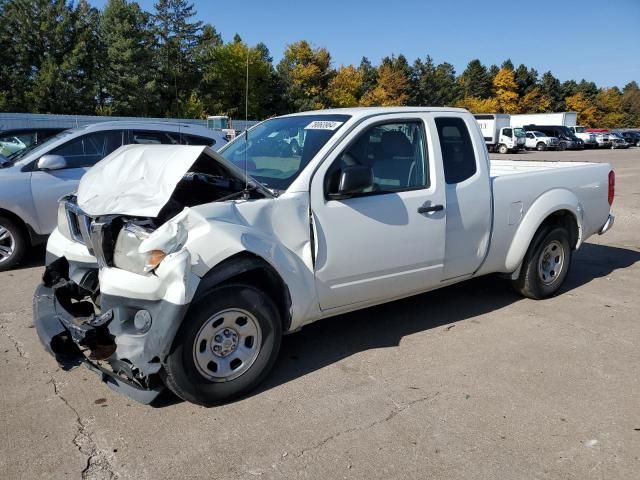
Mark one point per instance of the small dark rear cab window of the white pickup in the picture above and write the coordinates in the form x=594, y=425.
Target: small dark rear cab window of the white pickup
x=458, y=158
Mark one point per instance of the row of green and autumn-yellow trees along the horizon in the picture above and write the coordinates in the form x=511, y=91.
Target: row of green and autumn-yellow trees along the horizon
x=61, y=57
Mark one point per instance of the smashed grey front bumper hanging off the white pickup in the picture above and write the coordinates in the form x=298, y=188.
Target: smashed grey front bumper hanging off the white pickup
x=124, y=340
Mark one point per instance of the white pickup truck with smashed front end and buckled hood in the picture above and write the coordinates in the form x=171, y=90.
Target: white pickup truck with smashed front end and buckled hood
x=181, y=267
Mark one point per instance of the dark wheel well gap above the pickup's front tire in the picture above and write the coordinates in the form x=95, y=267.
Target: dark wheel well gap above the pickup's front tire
x=252, y=270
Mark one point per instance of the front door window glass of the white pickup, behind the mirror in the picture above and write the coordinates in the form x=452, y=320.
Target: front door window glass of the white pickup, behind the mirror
x=396, y=152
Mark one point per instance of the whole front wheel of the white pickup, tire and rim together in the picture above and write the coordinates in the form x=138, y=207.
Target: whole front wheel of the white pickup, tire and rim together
x=225, y=347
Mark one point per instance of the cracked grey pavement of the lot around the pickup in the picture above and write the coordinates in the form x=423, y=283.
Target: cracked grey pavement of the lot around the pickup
x=467, y=382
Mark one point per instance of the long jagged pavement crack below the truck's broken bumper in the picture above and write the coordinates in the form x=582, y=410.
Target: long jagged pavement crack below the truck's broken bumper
x=98, y=464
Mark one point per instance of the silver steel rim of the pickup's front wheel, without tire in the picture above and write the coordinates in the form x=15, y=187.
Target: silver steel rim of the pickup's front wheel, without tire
x=227, y=344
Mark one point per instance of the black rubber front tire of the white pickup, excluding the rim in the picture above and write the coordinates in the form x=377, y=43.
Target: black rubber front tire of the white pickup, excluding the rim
x=181, y=374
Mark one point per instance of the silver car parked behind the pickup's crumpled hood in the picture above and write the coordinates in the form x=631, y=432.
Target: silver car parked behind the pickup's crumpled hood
x=33, y=180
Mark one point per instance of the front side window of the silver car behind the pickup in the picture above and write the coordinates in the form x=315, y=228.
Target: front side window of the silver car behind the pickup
x=89, y=149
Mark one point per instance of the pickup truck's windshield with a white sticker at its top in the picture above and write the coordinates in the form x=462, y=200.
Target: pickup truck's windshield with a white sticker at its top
x=277, y=150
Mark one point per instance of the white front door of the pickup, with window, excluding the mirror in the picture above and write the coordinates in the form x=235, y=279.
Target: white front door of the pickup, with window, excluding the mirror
x=388, y=241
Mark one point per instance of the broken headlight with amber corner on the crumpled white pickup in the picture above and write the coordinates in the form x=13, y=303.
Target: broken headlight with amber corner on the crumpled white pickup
x=127, y=254
